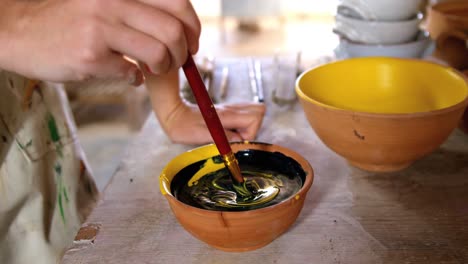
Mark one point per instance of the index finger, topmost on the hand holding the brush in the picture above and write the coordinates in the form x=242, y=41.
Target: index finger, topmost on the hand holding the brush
x=183, y=11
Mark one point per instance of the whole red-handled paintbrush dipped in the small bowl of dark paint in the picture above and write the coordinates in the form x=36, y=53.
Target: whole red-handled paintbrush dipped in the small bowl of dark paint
x=212, y=121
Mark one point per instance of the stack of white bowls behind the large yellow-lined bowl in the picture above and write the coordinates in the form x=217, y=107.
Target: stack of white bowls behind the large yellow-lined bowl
x=380, y=28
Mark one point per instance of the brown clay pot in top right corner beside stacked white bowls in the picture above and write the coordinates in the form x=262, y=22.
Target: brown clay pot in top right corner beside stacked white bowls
x=446, y=17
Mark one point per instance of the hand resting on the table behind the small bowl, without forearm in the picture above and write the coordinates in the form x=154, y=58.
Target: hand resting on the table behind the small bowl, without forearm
x=185, y=123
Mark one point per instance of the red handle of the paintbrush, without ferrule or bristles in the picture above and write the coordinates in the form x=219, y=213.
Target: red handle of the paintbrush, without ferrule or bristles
x=206, y=106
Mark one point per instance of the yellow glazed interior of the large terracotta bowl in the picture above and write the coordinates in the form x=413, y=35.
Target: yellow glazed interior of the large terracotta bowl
x=383, y=85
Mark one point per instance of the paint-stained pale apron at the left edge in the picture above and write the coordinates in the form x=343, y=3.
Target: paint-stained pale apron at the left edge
x=46, y=190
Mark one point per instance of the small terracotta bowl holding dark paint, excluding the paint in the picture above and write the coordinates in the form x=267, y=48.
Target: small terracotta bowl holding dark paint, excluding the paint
x=240, y=230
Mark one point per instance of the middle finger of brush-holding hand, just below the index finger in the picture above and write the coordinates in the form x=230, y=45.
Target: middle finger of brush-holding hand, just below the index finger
x=159, y=25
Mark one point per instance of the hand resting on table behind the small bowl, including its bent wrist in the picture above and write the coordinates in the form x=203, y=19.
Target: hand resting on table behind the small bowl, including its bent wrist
x=184, y=123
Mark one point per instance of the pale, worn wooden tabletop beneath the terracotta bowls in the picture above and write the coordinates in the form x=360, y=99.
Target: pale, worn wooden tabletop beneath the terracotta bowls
x=418, y=215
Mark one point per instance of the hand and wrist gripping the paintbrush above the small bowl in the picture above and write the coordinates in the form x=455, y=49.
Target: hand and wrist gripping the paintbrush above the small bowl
x=73, y=40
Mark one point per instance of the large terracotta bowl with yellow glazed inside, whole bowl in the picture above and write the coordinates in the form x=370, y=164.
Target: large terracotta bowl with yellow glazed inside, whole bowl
x=381, y=113
